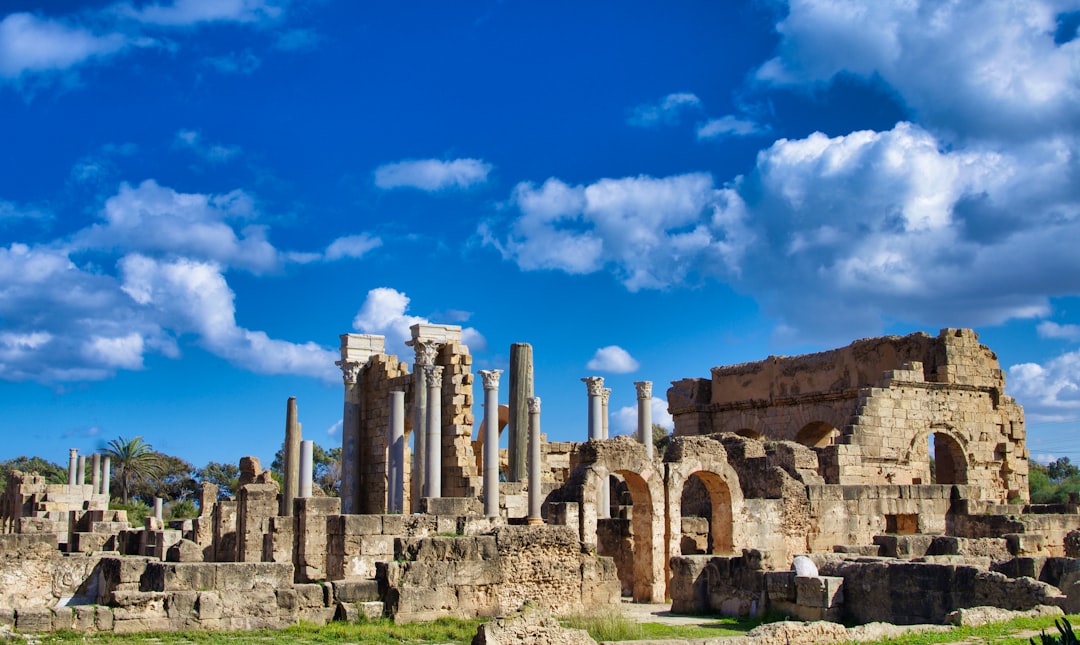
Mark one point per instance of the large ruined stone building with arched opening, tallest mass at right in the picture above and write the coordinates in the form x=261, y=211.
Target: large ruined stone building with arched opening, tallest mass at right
x=871, y=410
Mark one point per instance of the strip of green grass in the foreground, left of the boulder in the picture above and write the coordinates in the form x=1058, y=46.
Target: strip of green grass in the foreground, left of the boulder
x=383, y=631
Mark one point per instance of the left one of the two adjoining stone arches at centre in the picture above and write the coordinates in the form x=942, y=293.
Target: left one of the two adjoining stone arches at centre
x=627, y=459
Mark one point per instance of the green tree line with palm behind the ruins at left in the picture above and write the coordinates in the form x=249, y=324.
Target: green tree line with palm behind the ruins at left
x=140, y=475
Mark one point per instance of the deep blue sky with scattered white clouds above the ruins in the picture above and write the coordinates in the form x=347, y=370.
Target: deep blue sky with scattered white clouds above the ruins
x=197, y=197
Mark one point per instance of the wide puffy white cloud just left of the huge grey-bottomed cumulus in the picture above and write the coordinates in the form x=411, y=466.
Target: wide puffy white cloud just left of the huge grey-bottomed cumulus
x=652, y=232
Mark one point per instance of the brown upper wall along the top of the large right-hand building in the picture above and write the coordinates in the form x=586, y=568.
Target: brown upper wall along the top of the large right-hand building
x=955, y=357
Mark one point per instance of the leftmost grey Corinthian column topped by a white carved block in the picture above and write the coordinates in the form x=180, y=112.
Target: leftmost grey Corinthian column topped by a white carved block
x=356, y=352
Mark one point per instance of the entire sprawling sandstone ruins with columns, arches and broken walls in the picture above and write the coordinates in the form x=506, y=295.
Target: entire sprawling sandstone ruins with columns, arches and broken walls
x=882, y=481
